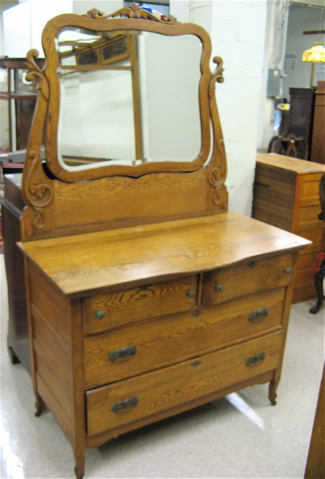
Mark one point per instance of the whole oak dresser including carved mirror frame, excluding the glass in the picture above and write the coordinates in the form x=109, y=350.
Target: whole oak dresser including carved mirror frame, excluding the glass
x=137, y=306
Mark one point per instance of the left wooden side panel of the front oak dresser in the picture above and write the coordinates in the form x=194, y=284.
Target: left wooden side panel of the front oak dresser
x=51, y=345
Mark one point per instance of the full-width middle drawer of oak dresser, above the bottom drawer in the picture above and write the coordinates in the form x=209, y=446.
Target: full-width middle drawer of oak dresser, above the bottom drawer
x=126, y=352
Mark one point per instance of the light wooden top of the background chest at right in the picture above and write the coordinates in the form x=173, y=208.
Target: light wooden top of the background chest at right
x=301, y=167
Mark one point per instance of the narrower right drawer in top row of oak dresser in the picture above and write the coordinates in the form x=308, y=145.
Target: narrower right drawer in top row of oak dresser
x=251, y=277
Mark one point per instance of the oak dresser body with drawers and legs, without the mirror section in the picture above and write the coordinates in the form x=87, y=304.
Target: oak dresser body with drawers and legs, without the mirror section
x=125, y=336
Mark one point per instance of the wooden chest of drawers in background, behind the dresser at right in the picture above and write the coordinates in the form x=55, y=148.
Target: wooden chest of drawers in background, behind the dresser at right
x=286, y=194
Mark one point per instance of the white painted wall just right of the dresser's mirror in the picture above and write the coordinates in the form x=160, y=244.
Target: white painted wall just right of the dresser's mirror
x=237, y=30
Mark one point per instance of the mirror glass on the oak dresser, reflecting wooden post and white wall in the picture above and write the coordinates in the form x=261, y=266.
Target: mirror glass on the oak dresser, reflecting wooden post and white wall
x=128, y=98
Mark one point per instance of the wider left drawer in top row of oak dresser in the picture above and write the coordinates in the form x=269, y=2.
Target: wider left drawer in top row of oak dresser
x=107, y=311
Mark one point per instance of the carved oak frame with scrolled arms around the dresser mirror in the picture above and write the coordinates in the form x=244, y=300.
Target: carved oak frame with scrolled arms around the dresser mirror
x=127, y=19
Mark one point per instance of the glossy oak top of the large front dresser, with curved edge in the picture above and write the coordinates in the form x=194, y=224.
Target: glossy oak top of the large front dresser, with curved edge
x=89, y=263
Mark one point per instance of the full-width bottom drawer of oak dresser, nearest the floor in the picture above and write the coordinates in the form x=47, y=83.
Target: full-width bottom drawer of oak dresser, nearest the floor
x=115, y=405
